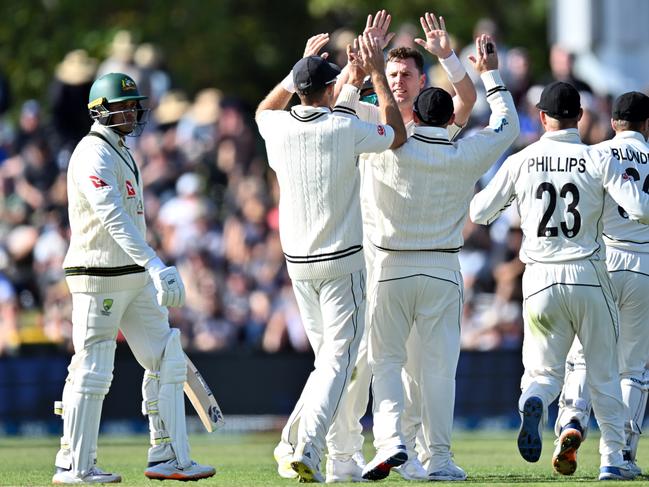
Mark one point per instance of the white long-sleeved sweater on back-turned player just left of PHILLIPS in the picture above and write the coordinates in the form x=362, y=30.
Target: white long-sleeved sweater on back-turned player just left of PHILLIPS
x=422, y=190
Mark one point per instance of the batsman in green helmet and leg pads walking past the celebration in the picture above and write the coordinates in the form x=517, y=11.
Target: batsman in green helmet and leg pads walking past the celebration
x=118, y=283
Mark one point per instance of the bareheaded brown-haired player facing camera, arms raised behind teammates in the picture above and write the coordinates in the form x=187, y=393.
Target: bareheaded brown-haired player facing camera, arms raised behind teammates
x=405, y=72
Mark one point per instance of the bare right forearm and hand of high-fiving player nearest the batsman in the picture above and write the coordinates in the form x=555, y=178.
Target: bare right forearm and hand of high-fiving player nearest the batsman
x=371, y=58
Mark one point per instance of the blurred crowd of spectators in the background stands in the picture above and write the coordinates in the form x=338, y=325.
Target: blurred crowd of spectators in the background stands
x=211, y=203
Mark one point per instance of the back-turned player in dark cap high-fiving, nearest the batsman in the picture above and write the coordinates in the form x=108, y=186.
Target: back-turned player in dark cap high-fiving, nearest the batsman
x=314, y=152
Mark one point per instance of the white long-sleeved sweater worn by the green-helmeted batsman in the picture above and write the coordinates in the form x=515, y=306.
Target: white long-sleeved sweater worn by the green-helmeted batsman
x=108, y=249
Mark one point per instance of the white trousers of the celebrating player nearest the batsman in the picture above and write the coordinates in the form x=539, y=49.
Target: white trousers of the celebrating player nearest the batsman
x=332, y=312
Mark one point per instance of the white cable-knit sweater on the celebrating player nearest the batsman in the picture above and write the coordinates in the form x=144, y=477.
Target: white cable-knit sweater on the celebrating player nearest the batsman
x=315, y=155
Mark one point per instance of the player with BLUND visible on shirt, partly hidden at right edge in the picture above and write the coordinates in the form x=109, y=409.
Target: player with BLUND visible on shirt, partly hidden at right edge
x=627, y=260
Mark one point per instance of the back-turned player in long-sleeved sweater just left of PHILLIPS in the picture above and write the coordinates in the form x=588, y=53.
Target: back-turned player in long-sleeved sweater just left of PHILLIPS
x=417, y=282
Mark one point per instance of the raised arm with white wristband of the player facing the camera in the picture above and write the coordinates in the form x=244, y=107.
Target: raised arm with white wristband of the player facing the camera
x=437, y=42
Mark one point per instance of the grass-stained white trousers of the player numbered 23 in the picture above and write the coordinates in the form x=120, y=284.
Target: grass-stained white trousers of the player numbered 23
x=561, y=301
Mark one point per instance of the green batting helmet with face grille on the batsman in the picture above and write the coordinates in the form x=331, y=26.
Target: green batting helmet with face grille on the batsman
x=113, y=88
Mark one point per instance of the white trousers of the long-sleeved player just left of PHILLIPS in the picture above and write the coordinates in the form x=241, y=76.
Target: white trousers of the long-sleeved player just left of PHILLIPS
x=429, y=299
